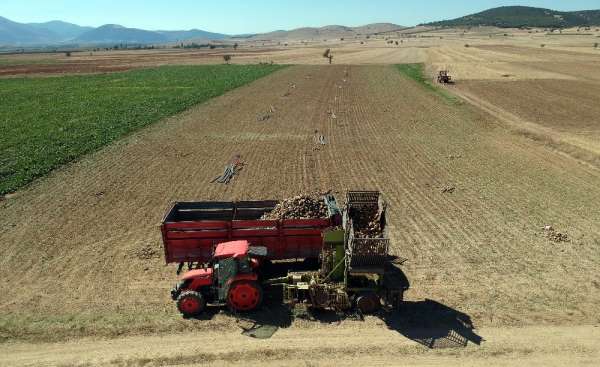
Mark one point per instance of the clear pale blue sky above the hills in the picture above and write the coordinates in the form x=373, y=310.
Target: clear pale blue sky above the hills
x=253, y=16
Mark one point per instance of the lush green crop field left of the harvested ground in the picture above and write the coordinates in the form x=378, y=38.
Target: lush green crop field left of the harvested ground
x=47, y=122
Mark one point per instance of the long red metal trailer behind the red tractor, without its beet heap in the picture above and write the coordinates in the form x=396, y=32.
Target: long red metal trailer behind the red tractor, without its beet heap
x=191, y=231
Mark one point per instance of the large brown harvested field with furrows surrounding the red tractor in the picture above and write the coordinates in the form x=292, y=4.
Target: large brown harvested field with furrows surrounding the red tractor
x=81, y=251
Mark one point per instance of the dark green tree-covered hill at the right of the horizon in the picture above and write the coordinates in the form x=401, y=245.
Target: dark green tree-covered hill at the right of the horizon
x=524, y=16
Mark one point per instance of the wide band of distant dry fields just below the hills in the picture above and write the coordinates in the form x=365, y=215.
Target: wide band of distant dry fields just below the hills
x=492, y=54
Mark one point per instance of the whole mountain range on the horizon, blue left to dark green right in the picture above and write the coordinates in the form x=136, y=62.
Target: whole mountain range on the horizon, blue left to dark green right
x=58, y=32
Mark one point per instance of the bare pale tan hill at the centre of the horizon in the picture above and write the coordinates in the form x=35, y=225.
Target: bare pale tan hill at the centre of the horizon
x=328, y=32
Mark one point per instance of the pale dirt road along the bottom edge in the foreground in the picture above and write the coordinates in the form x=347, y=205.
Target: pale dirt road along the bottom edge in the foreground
x=320, y=346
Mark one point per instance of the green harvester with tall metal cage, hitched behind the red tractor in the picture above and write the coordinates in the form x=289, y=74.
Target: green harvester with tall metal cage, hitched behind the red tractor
x=356, y=269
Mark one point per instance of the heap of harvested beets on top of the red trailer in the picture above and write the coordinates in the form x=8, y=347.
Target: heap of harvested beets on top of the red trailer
x=298, y=207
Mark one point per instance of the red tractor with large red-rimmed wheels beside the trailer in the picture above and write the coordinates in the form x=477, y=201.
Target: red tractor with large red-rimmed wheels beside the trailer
x=231, y=280
